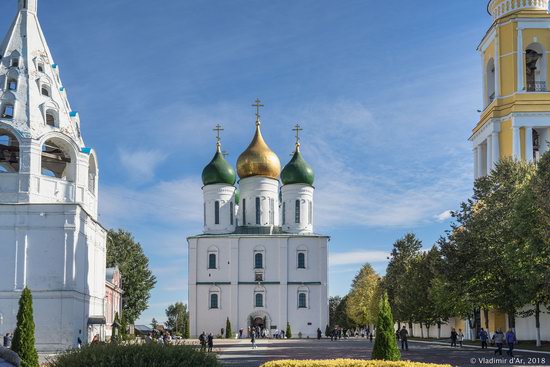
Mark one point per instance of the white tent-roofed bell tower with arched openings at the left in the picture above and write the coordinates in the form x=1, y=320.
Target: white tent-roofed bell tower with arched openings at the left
x=50, y=237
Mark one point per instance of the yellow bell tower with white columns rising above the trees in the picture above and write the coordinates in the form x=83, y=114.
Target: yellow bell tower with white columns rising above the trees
x=515, y=120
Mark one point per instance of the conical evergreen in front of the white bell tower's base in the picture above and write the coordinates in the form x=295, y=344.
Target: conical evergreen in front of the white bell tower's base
x=23, y=337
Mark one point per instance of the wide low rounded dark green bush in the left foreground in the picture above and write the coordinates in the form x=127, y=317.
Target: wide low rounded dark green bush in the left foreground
x=112, y=355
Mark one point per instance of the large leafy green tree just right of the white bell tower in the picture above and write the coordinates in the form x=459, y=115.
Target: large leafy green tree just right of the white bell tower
x=137, y=279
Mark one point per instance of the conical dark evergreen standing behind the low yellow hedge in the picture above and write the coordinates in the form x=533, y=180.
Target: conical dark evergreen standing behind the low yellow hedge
x=385, y=345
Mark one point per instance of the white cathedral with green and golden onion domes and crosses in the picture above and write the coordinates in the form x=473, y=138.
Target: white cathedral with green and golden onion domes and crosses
x=258, y=263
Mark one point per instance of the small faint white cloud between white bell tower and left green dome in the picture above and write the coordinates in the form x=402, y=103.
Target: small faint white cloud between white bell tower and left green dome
x=141, y=164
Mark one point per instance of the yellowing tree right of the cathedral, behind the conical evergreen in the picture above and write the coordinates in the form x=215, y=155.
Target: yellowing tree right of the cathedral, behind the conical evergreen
x=364, y=297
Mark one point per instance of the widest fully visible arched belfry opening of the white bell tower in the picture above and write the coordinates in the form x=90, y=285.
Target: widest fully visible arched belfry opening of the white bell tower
x=56, y=160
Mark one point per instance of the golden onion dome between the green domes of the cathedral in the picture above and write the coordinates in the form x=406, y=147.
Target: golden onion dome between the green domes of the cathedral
x=258, y=159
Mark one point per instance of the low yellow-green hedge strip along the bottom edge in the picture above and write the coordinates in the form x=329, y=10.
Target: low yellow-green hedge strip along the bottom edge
x=348, y=363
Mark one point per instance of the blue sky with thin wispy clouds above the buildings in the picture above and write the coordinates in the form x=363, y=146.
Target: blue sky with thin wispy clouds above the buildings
x=386, y=92
